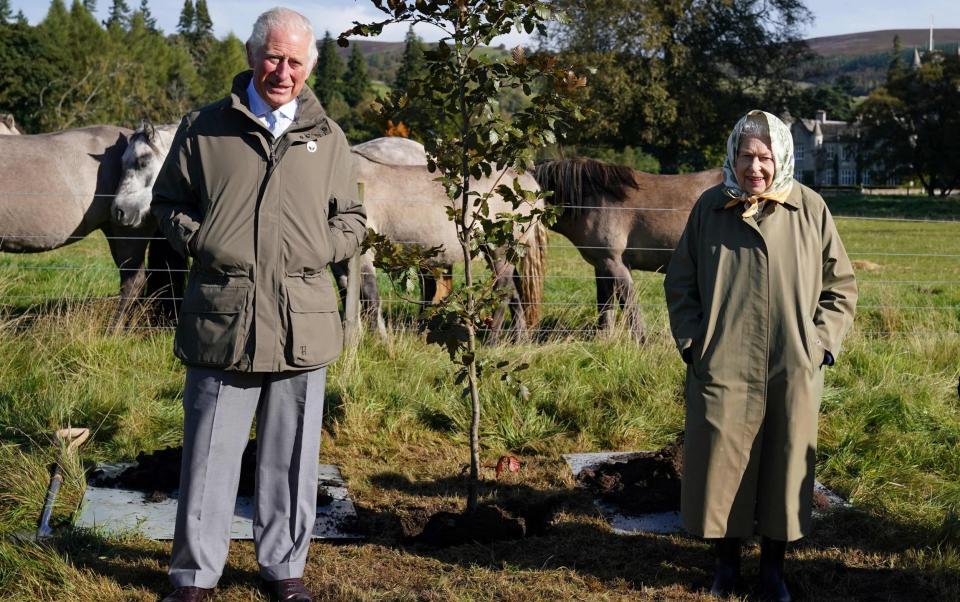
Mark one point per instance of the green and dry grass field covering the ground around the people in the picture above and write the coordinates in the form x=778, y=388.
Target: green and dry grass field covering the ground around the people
x=395, y=424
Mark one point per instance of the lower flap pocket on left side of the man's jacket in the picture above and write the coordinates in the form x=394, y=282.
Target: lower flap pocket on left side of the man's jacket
x=211, y=324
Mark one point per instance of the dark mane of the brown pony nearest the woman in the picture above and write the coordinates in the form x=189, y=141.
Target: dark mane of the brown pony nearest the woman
x=573, y=181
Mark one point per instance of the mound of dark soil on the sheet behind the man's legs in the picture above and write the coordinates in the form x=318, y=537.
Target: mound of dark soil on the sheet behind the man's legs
x=157, y=475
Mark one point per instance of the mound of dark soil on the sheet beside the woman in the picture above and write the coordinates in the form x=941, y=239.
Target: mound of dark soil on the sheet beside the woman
x=647, y=482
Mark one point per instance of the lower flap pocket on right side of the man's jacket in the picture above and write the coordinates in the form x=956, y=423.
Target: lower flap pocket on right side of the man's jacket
x=314, y=330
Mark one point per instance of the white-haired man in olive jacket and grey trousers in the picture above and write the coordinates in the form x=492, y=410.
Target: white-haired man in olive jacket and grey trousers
x=259, y=190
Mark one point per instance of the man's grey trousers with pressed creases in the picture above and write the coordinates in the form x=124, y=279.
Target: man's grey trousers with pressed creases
x=219, y=408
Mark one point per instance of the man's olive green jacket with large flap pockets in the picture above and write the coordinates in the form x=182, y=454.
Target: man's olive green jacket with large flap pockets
x=262, y=220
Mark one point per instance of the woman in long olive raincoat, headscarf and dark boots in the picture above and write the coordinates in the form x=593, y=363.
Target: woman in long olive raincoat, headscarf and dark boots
x=760, y=294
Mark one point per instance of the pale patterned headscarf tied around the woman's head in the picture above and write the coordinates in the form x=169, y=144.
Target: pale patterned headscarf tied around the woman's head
x=781, y=143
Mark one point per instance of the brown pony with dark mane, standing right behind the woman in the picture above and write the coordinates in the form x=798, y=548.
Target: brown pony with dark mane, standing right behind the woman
x=621, y=220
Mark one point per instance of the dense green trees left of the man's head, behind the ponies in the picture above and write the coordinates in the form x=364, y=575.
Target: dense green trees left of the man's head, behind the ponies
x=71, y=70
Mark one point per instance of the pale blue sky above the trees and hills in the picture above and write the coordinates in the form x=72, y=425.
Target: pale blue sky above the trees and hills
x=831, y=17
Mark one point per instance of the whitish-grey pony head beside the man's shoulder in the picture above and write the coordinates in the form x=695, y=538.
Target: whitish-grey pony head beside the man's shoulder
x=146, y=150
